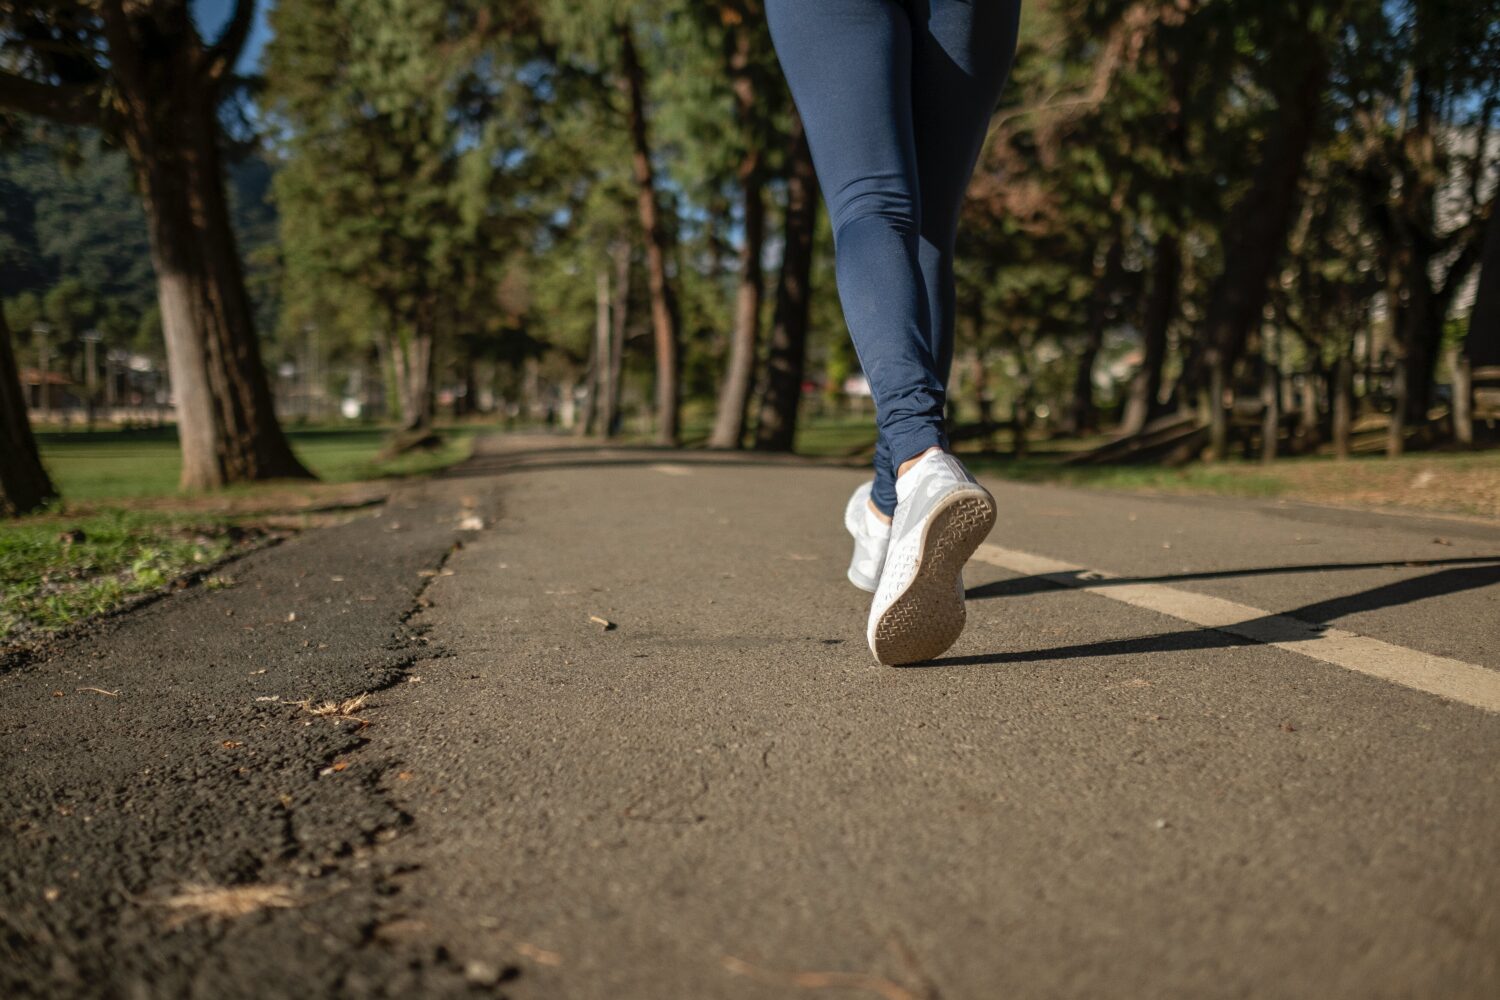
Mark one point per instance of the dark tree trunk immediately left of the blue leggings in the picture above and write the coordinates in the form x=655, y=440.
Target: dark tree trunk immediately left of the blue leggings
x=776, y=430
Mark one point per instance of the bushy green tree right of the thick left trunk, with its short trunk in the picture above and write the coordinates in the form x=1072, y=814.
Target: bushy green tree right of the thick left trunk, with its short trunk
x=394, y=190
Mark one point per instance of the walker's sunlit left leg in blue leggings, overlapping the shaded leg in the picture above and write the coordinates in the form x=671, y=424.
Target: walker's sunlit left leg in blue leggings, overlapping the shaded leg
x=850, y=67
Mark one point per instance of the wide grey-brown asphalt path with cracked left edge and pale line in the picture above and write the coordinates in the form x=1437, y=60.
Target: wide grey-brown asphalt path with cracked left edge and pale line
x=1141, y=773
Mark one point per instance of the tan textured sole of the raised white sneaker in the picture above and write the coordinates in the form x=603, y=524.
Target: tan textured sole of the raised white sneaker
x=929, y=615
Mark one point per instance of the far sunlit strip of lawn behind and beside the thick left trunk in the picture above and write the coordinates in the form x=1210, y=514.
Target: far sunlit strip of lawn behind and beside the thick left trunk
x=142, y=464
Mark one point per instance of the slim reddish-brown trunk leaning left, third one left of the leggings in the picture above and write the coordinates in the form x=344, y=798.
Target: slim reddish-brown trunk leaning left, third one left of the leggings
x=664, y=305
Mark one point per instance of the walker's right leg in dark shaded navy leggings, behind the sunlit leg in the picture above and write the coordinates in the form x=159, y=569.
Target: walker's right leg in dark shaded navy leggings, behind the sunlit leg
x=962, y=53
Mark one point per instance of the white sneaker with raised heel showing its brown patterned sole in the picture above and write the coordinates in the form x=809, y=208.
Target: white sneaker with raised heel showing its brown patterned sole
x=941, y=518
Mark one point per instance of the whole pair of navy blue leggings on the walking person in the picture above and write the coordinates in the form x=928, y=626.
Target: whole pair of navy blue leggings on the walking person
x=896, y=98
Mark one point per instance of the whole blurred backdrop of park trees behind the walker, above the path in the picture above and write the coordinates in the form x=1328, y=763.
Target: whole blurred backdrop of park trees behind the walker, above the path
x=1201, y=229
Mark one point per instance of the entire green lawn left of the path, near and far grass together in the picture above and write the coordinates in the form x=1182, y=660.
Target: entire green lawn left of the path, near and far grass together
x=125, y=530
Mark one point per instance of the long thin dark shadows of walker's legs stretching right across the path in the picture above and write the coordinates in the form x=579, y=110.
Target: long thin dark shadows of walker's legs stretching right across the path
x=1298, y=624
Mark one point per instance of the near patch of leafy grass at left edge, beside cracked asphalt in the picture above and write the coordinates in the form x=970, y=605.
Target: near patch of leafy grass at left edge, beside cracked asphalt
x=55, y=573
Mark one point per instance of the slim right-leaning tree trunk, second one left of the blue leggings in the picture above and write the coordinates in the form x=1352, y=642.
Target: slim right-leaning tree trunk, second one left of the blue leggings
x=734, y=395
